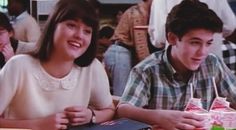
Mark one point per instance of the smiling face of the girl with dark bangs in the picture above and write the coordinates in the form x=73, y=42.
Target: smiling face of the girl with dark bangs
x=71, y=39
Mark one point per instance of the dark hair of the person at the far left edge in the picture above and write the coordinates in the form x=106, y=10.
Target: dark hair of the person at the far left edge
x=5, y=22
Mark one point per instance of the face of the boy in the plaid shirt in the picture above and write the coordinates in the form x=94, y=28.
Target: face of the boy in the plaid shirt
x=191, y=50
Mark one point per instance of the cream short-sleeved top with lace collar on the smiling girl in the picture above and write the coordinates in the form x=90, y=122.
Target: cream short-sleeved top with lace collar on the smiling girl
x=27, y=91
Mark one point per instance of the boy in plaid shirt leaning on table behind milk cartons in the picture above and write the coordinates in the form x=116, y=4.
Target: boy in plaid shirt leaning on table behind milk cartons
x=158, y=88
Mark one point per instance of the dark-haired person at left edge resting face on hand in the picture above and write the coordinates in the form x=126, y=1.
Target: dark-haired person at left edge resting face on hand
x=8, y=45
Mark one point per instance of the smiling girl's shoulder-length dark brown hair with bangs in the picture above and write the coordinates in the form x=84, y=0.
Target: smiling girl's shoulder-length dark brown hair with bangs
x=69, y=10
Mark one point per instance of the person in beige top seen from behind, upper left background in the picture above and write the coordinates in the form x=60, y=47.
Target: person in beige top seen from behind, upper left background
x=25, y=26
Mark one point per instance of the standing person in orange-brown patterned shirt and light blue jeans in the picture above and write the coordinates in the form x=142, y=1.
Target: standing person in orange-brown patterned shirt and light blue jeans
x=130, y=45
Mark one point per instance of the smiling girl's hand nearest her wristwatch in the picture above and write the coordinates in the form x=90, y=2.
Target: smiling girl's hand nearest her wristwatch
x=78, y=115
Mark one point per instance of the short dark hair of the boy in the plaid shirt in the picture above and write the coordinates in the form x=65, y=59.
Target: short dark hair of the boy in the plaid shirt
x=192, y=14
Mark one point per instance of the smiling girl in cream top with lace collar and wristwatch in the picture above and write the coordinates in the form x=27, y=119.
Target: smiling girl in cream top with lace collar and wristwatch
x=61, y=83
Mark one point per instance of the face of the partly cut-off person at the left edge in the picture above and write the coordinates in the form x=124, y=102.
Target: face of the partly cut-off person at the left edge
x=4, y=37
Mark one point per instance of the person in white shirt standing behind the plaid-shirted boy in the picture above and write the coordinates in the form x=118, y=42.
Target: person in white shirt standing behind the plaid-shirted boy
x=160, y=9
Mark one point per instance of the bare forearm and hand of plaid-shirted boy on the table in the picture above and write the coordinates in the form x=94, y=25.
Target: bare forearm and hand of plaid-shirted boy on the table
x=167, y=119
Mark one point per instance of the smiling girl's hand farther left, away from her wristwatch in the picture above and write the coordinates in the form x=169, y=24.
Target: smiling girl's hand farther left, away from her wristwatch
x=57, y=121
